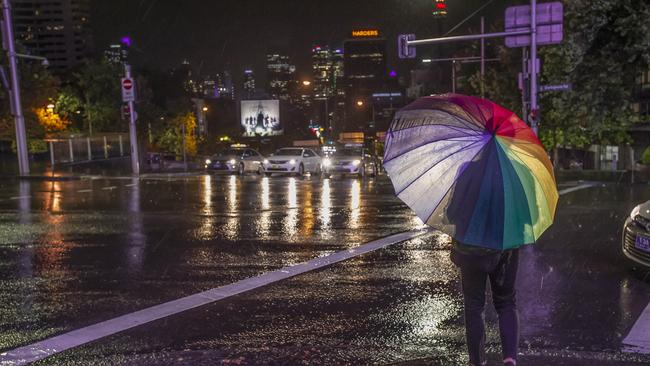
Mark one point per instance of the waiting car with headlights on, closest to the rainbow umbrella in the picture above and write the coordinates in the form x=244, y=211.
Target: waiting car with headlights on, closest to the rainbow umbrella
x=351, y=159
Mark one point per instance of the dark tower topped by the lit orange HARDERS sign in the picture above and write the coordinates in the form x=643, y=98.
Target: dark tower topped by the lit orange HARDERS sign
x=365, y=74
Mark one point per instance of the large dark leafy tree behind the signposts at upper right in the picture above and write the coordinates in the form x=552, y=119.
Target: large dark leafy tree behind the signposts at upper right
x=605, y=48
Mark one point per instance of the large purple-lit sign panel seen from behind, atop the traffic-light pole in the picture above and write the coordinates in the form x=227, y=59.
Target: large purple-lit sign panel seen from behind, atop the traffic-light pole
x=550, y=18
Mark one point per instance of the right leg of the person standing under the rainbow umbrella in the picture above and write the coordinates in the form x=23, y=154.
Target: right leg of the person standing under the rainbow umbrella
x=502, y=281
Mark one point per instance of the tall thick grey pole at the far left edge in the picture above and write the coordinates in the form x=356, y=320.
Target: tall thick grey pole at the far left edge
x=16, y=105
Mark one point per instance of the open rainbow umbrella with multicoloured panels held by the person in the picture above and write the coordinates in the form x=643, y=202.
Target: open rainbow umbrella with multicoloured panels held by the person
x=472, y=169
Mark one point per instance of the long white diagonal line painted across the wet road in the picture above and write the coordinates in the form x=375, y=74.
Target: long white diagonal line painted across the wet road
x=75, y=338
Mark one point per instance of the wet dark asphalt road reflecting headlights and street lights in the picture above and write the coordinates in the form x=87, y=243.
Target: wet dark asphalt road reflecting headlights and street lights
x=74, y=253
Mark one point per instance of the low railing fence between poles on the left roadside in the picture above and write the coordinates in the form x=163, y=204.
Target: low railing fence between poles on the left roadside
x=80, y=149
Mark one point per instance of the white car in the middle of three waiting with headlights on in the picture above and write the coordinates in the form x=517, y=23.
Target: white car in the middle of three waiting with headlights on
x=293, y=160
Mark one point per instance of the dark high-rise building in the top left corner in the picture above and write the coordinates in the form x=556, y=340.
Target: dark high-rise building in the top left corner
x=56, y=29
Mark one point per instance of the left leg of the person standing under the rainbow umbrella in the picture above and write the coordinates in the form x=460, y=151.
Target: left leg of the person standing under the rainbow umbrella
x=474, y=283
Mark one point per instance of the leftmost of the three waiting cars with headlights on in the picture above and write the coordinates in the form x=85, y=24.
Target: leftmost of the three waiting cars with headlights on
x=237, y=159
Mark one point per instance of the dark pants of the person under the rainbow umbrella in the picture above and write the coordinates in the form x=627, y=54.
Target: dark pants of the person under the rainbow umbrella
x=501, y=270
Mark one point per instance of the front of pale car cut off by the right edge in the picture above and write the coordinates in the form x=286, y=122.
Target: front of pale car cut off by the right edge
x=636, y=236
